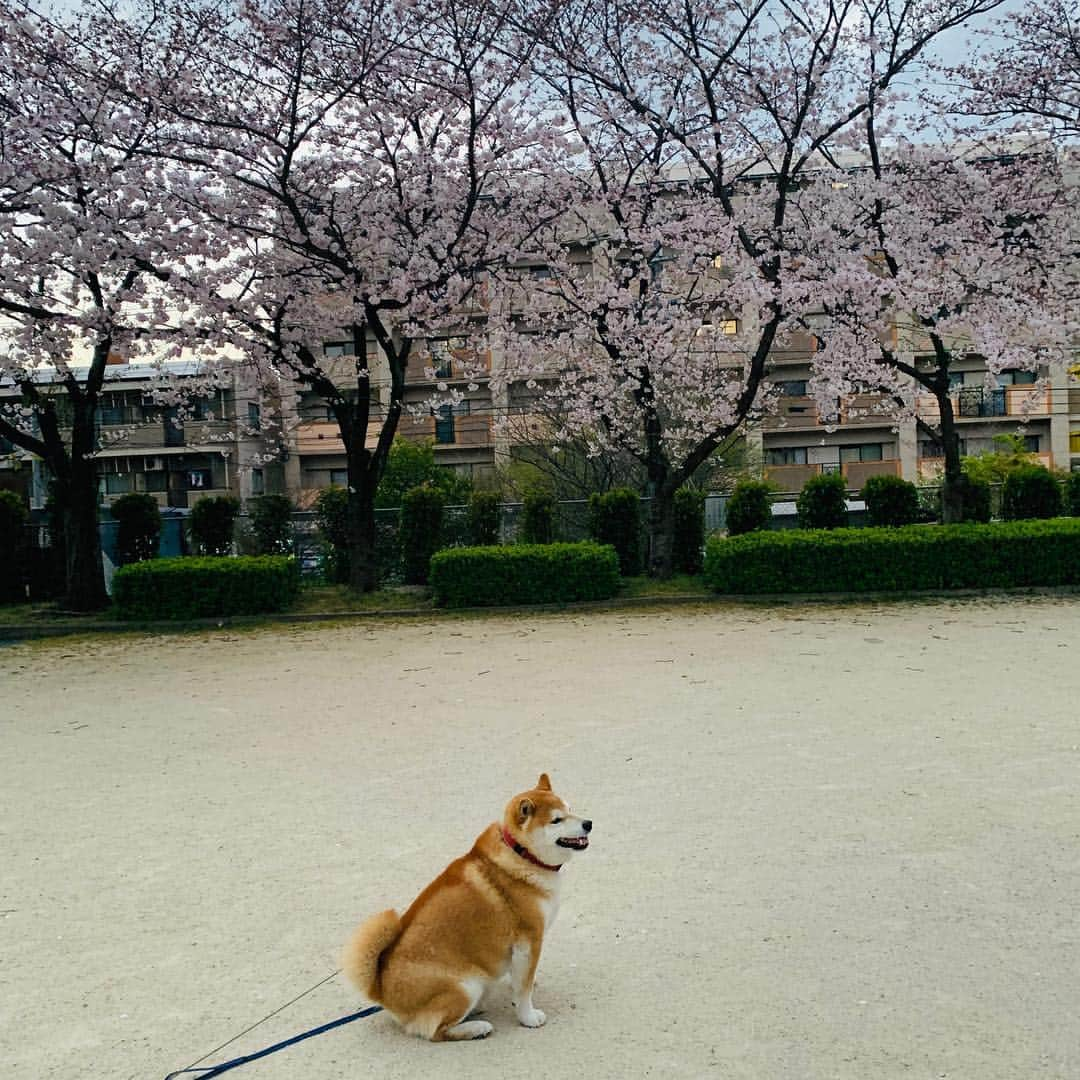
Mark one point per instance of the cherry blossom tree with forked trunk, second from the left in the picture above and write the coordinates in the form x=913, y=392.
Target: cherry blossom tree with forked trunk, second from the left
x=360, y=156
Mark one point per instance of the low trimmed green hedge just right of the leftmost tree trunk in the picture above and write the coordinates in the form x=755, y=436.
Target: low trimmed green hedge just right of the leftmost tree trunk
x=201, y=587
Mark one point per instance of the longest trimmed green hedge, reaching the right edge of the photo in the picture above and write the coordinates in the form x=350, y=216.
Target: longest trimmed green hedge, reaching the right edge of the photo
x=889, y=560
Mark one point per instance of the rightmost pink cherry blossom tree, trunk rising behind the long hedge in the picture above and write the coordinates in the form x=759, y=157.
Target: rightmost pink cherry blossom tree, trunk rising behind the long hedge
x=955, y=253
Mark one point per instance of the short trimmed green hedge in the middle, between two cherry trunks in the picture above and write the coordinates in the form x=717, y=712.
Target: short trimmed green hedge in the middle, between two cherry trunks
x=524, y=574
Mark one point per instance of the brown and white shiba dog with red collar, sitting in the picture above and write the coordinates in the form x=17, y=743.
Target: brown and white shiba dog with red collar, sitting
x=482, y=920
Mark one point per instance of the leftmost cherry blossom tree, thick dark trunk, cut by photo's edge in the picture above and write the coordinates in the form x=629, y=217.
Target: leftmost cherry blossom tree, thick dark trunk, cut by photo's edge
x=87, y=241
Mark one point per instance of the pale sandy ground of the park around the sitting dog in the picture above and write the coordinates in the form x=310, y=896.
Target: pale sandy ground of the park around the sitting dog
x=830, y=843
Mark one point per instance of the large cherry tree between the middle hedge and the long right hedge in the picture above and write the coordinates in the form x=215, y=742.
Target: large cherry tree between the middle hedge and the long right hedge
x=701, y=129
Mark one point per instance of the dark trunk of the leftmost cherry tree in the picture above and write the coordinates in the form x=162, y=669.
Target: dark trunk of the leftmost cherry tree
x=85, y=572
